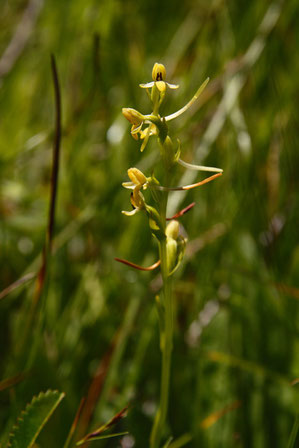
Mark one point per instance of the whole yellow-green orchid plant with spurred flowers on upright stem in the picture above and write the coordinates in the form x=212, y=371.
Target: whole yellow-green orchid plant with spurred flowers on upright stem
x=165, y=230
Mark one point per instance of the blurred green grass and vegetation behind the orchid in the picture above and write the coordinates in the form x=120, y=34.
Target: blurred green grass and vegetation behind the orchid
x=236, y=335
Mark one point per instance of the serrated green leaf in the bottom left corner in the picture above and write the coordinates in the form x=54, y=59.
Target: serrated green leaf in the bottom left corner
x=34, y=418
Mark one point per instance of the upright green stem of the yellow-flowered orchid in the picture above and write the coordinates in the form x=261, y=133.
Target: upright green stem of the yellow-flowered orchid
x=165, y=340
